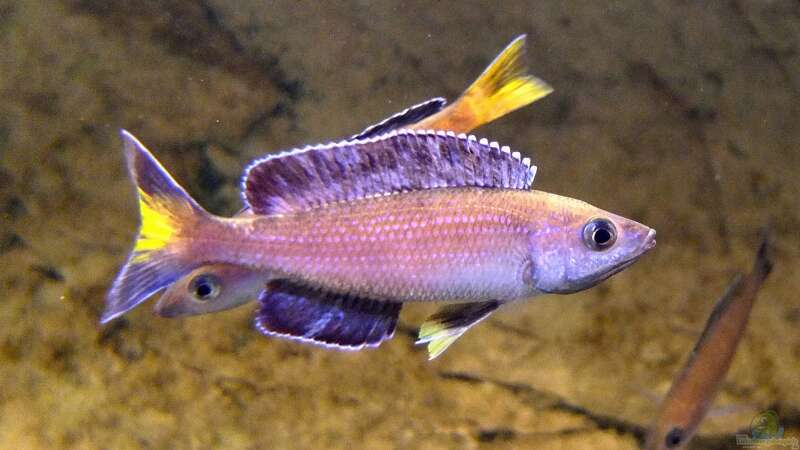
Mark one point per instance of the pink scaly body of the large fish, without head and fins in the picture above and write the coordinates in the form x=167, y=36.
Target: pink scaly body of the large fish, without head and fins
x=444, y=244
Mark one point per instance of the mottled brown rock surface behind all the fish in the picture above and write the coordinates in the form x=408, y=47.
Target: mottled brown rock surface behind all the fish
x=680, y=115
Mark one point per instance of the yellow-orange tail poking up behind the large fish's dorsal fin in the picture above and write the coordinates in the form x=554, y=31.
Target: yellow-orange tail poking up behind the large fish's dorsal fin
x=503, y=87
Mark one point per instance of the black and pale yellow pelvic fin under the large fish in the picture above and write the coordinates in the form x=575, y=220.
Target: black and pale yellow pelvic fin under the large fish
x=441, y=329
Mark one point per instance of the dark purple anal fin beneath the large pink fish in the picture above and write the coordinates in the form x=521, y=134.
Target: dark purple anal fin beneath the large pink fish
x=304, y=314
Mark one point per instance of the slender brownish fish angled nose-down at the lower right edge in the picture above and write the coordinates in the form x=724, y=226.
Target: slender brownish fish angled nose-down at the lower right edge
x=697, y=383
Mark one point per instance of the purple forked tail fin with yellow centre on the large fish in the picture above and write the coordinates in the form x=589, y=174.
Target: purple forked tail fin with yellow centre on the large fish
x=167, y=212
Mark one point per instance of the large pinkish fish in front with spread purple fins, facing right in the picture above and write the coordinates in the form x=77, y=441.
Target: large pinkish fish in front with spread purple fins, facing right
x=351, y=231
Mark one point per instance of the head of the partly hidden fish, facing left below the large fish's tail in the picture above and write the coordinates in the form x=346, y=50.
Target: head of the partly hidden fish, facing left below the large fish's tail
x=211, y=288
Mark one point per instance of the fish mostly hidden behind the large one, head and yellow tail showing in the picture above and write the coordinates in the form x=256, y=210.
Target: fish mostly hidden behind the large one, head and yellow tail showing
x=501, y=88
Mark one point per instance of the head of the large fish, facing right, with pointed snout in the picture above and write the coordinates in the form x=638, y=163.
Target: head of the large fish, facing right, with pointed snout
x=577, y=245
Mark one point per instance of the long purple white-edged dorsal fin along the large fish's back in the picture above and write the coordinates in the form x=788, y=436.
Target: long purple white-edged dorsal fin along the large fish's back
x=399, y=161
